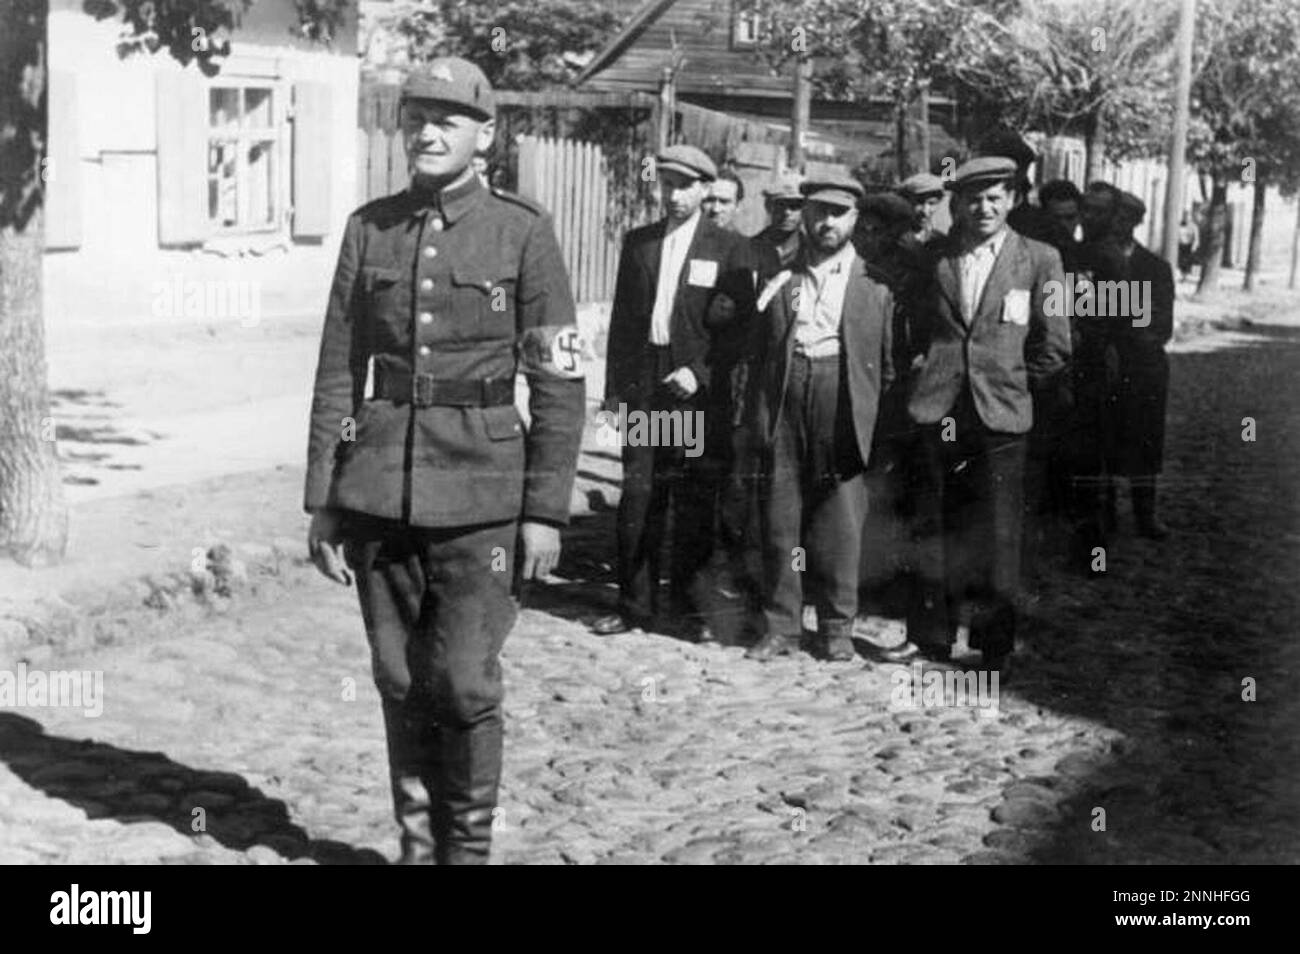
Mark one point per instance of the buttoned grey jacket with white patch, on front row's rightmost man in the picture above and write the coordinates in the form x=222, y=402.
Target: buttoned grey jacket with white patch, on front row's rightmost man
x=998, y=359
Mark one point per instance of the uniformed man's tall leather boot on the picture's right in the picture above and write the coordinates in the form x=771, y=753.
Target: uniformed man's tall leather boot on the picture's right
x=470, y=777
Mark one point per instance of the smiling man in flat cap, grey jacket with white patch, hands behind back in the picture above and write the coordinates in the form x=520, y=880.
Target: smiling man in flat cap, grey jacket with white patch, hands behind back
x=987, y=342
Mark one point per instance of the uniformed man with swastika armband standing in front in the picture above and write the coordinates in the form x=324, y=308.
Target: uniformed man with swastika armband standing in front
x=421, y=474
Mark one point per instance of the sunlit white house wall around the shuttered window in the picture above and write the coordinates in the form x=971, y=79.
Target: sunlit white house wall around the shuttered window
x=115, y=274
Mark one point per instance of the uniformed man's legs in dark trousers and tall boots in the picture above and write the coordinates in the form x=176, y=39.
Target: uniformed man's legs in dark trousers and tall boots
x=439, y=606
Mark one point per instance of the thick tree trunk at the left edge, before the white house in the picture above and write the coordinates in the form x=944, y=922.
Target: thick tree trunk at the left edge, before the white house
x=33, y=515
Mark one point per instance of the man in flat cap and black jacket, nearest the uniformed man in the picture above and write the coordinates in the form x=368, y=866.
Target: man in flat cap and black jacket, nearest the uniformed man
x=683, y=285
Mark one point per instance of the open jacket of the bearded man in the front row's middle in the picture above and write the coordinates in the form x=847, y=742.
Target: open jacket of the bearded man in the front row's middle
x=866, y=346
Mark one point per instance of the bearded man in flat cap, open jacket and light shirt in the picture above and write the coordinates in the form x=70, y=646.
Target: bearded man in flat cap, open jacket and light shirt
x=824, y=361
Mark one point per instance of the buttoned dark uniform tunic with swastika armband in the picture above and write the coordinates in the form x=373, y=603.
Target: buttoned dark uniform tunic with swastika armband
x=465, y=287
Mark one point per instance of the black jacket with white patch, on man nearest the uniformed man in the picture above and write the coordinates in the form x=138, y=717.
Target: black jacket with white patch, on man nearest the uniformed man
x=697, y=314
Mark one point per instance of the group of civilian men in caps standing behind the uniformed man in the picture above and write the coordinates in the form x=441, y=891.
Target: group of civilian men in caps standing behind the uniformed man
x=851, y=336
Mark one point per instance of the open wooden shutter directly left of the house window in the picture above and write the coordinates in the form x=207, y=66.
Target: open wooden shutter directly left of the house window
x=183, y=131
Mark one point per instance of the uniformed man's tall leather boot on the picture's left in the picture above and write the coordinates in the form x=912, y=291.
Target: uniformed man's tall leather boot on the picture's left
x=414, y=774
